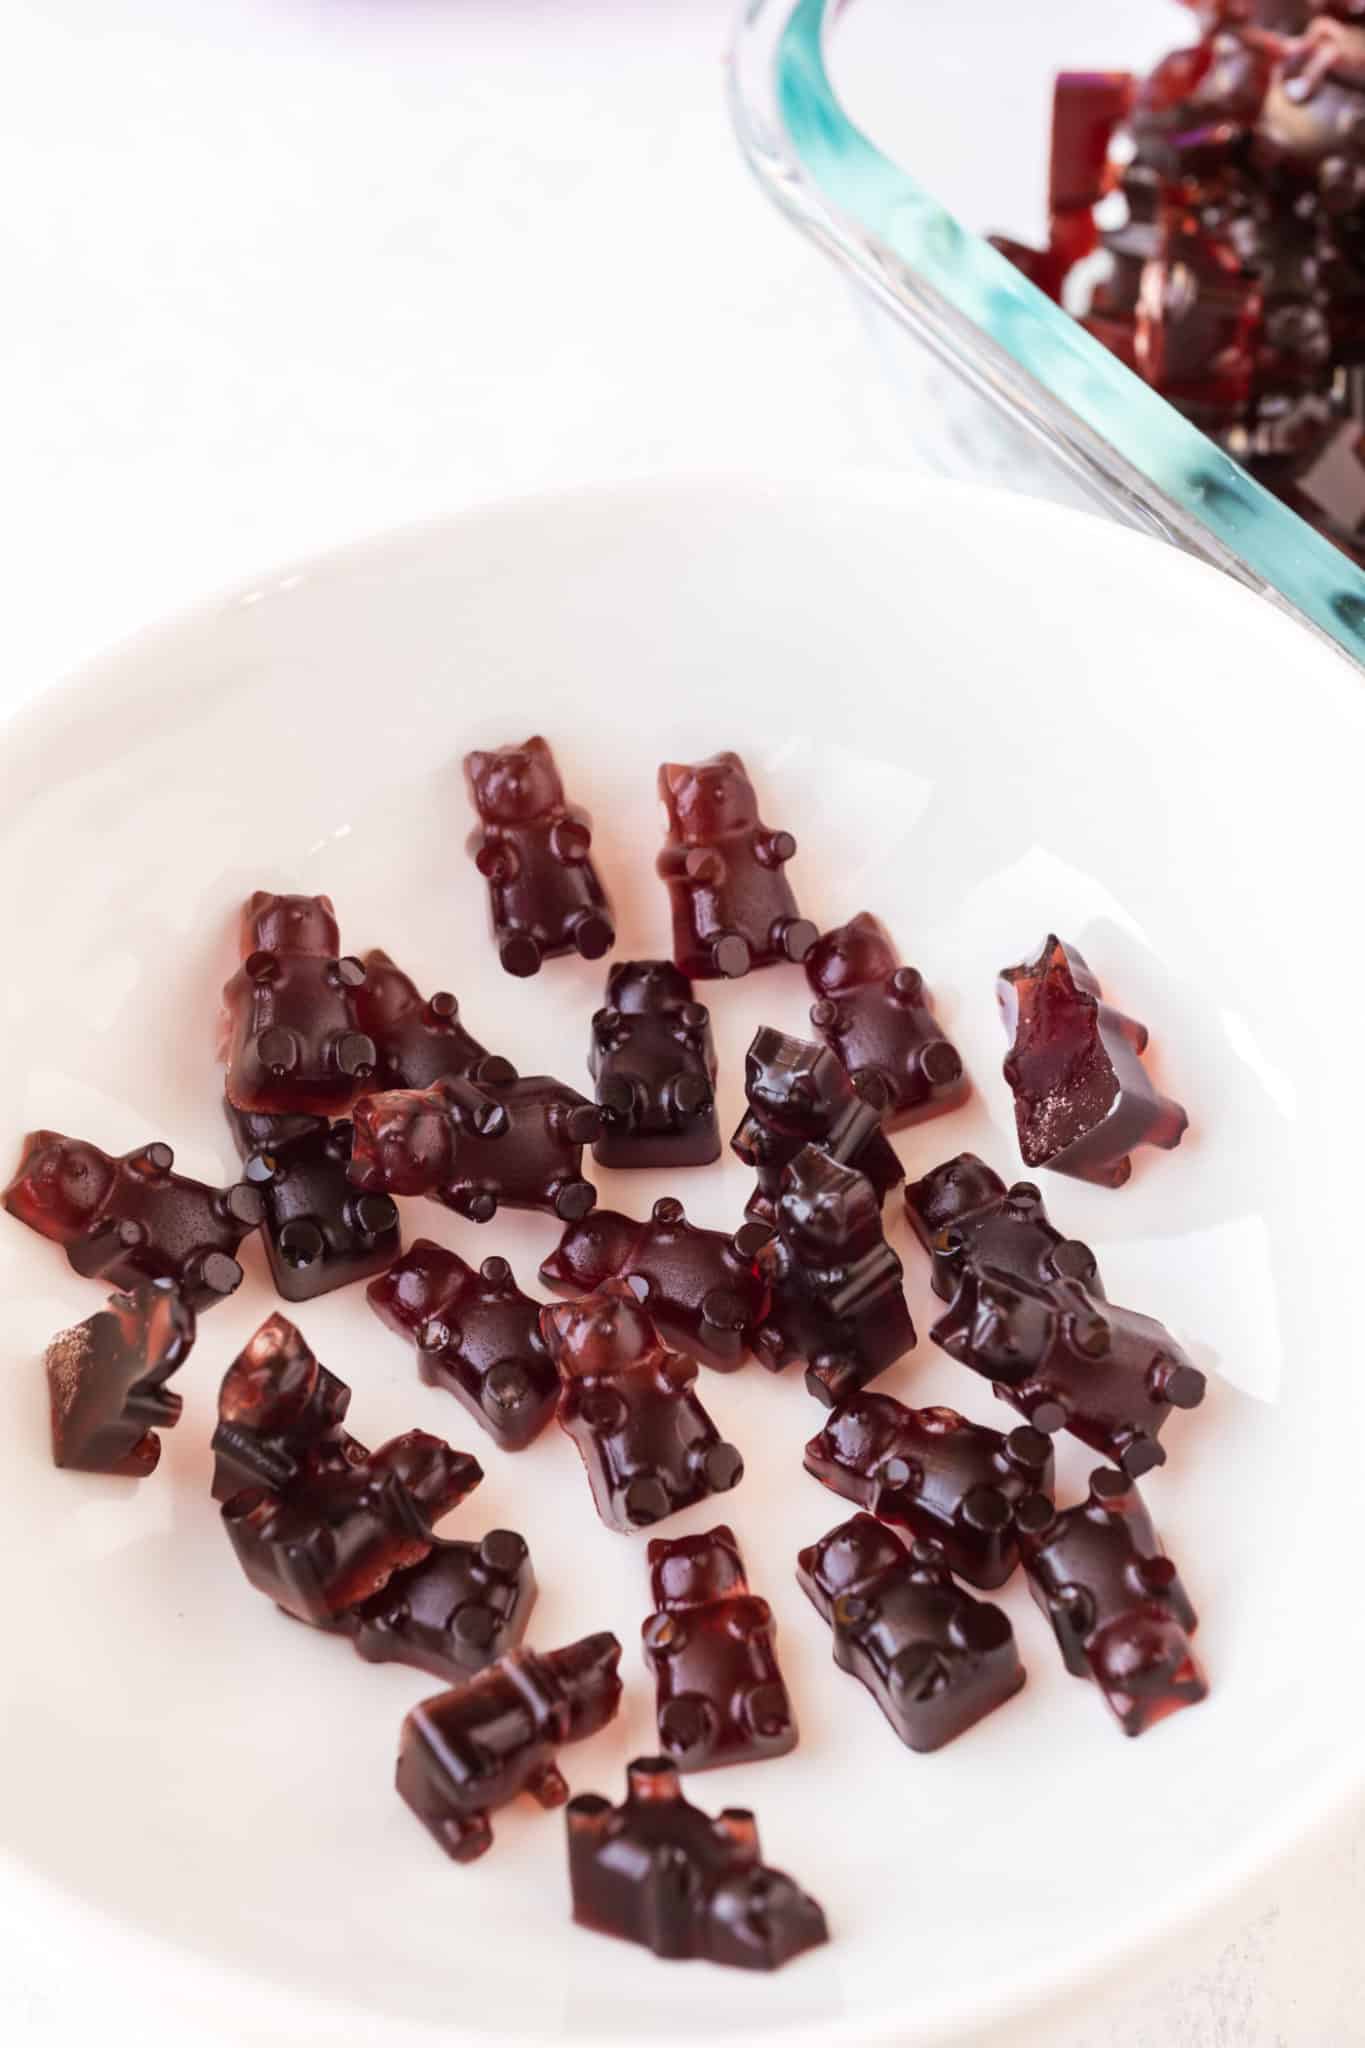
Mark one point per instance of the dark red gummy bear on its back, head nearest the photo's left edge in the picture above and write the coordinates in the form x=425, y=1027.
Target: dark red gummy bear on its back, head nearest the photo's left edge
x=134, y=1220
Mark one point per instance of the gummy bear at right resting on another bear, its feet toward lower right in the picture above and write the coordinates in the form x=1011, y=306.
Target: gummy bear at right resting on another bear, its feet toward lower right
x=1071, y=1361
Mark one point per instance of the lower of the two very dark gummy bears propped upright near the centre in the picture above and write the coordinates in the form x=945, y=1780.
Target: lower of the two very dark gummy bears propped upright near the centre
x=838, y=1295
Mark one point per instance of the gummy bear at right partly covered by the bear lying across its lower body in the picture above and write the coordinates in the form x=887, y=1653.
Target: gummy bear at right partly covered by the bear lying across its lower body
x=967, y=1218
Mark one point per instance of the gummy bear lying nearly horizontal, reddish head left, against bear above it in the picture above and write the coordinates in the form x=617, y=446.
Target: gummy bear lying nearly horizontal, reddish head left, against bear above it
x=511, y=1146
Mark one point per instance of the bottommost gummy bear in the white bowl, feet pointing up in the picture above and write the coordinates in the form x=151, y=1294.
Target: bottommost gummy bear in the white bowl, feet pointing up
x=662, y=1873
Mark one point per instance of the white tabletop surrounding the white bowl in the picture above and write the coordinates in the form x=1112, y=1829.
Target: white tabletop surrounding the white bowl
x=277, y=273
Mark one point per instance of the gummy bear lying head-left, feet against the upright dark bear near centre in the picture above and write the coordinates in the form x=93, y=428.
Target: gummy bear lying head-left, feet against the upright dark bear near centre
x=703, y=1289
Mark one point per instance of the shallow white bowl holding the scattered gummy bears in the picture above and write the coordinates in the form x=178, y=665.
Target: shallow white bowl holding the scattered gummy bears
x=983, y=720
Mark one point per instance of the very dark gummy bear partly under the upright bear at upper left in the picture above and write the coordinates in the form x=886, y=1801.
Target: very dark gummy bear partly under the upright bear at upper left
x=320, y=1232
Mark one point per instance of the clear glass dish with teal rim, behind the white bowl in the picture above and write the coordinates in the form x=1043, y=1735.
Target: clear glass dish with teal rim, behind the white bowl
x=834, y=99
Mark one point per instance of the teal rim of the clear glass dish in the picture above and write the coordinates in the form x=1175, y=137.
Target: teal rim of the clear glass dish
x=1282, y=550
